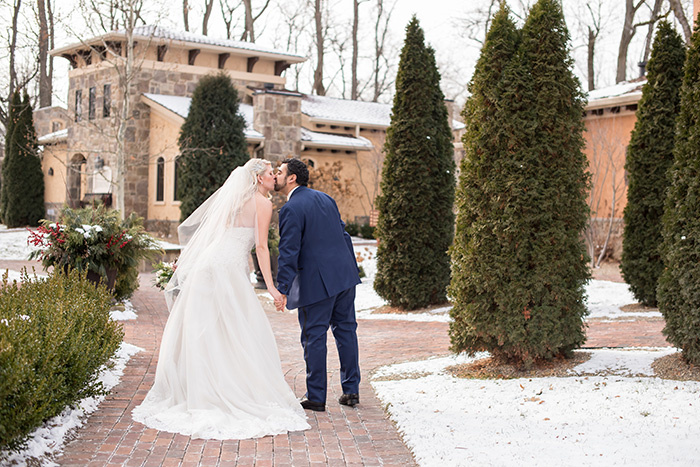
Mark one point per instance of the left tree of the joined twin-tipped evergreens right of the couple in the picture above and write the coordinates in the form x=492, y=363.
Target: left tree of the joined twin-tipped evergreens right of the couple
x=480, y=265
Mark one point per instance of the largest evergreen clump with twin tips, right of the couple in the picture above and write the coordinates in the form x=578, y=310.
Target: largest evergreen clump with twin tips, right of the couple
x=519, y=262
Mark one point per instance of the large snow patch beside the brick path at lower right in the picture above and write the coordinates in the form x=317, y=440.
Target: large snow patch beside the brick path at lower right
x=578, y=420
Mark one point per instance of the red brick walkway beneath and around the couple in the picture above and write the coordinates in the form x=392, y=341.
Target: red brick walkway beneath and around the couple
x=338, y=437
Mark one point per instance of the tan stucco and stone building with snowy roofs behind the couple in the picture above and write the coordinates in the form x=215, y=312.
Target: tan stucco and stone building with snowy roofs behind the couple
x=79, y=143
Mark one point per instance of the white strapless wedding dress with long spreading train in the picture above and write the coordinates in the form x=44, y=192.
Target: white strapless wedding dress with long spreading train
x=219, y=374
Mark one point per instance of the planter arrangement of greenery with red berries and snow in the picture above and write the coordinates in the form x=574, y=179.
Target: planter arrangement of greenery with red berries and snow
x=96, y=239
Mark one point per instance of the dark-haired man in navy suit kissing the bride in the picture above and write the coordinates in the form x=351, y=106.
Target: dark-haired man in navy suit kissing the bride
x=317, y=273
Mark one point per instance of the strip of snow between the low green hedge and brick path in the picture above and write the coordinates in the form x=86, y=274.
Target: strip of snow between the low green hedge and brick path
x=48, y=440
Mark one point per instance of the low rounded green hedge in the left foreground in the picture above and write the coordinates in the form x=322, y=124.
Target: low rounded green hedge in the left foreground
x=55, y=334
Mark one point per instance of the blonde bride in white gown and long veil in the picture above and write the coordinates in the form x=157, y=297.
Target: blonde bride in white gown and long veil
x=219, y=374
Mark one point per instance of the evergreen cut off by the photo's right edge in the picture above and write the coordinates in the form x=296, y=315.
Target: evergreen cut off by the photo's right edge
x=679, y=285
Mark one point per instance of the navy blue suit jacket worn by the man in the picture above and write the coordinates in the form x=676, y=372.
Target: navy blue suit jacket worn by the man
x=316, y=260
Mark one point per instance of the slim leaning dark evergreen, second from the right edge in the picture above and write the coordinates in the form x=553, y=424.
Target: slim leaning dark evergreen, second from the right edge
x=649, y=156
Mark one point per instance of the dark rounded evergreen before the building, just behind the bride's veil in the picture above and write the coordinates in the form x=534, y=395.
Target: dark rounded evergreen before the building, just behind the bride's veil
x=212, y=141
